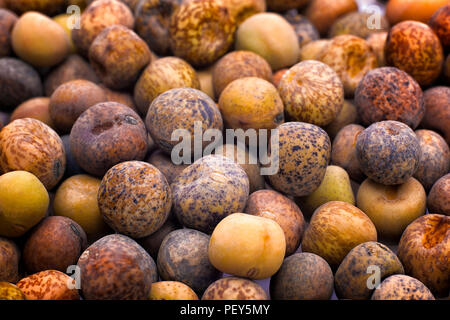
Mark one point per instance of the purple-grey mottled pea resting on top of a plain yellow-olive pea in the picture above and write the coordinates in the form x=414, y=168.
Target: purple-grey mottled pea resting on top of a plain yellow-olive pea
x=388, y=152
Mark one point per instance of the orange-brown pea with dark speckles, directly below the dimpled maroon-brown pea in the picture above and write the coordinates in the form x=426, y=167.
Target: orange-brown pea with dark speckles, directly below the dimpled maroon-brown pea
x=134, y=198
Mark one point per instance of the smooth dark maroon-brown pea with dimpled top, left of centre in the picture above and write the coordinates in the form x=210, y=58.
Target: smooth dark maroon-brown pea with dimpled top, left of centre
x=106, y=134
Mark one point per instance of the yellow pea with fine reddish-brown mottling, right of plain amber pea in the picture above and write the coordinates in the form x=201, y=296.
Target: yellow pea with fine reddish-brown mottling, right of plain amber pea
x=312, y=92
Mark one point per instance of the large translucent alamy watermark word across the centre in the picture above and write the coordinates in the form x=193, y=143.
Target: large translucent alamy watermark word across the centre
x=262, y=144
